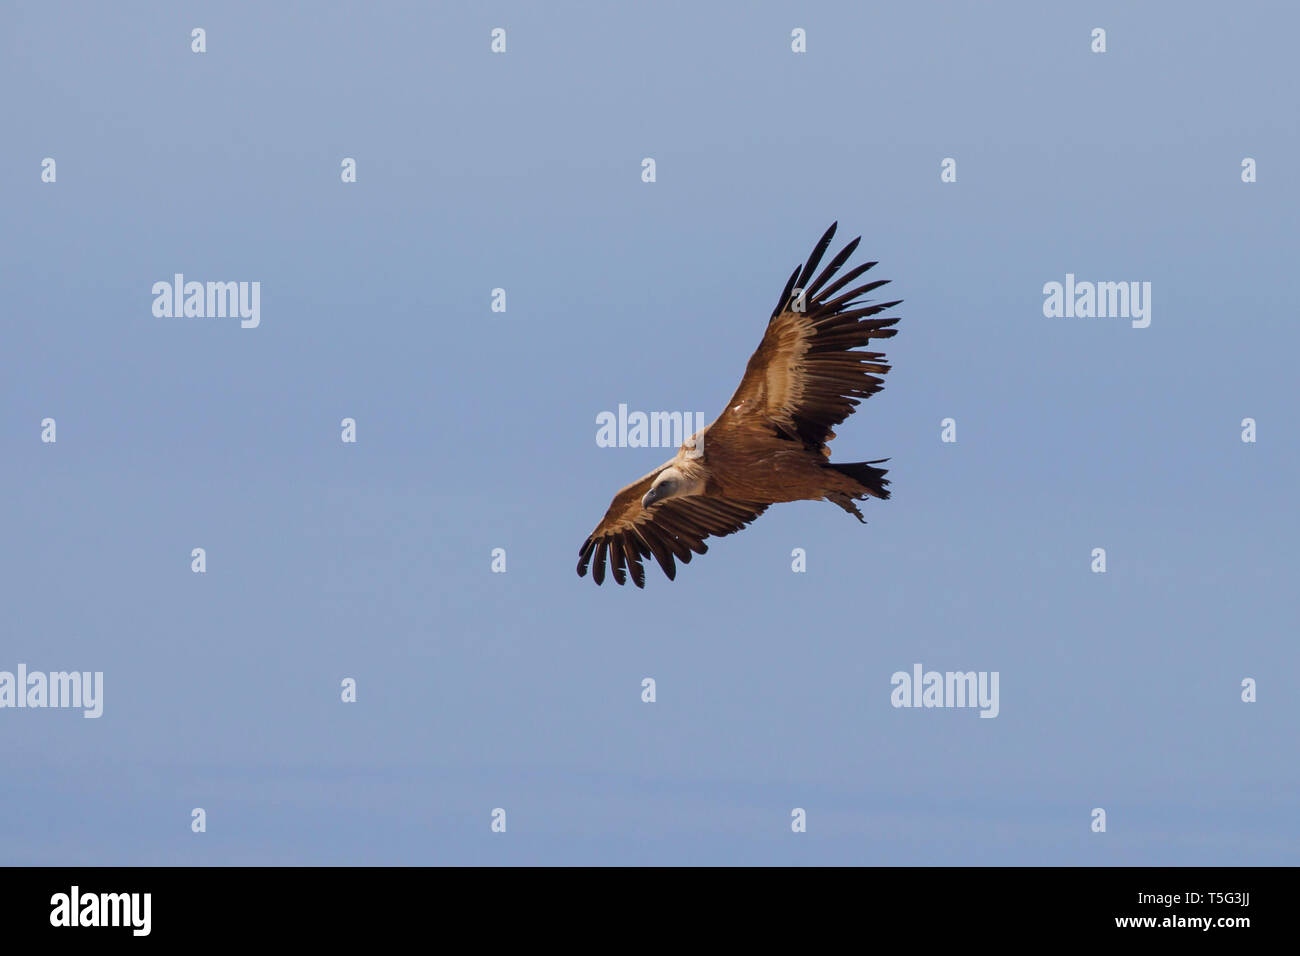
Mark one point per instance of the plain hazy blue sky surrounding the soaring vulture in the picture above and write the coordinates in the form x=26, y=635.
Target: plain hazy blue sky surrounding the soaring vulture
x=478, y=431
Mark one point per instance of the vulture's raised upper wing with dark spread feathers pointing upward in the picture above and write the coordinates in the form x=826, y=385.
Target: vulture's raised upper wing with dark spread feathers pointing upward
x=805, y=378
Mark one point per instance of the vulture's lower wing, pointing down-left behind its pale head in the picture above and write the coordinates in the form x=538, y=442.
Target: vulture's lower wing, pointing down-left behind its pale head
x=669, y=530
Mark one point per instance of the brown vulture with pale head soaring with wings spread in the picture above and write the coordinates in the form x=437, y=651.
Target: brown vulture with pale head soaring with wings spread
x=770, y=443
